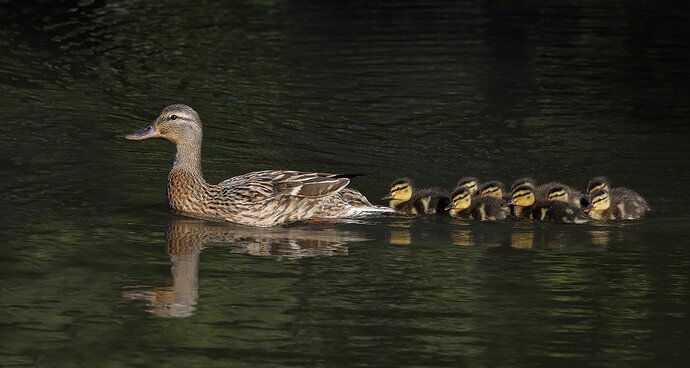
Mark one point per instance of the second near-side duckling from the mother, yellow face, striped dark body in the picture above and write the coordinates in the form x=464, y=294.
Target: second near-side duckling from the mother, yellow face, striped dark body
x=483, y=207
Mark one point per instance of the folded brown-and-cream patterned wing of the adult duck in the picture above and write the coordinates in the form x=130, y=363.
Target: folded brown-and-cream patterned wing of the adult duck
x=264, y=185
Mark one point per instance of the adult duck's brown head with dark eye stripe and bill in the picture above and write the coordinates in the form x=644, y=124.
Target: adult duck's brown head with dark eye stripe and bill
x=175, y=123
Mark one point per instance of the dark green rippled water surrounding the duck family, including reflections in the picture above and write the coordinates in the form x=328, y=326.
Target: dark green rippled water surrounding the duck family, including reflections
x=94, y=271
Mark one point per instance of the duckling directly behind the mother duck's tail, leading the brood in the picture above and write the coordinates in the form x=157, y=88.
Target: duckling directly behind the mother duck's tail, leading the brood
x=403, y=198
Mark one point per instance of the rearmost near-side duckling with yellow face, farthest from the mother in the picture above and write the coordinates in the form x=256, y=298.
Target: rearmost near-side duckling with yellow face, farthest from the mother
x=617, y=204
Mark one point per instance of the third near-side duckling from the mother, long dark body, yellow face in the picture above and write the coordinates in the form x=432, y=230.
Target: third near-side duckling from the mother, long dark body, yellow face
x=524, y=204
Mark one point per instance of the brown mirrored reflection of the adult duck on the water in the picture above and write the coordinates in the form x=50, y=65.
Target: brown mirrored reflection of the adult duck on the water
x=186, y=238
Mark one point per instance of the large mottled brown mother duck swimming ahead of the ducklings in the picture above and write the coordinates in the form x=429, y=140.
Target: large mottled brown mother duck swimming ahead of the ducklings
x=260, y=198
